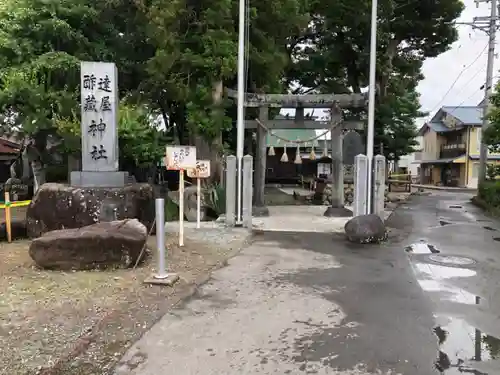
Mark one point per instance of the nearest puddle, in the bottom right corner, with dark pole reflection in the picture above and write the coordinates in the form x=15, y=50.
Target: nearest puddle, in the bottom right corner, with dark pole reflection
x=462, y=347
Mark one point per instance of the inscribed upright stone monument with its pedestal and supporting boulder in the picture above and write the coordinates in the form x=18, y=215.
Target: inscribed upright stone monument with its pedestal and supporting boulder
x=100, y=192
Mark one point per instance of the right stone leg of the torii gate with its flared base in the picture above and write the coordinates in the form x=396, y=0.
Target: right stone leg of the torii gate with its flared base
x=337, y=208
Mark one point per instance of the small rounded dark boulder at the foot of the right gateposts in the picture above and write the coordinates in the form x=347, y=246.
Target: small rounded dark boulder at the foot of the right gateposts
x=365, y=229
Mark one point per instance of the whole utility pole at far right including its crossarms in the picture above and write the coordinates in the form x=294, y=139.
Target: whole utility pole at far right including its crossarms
x=488, y=25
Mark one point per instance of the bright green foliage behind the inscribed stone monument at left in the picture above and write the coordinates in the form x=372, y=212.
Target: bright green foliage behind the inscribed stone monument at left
x=42, y=43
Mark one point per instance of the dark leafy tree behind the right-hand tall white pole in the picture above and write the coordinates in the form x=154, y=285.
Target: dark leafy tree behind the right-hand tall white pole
x=337, y=57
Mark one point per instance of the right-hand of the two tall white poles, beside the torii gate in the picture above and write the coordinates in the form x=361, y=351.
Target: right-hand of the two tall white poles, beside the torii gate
x=371, y=106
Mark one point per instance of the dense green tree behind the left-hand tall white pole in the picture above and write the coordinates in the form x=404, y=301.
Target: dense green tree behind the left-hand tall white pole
x=197, y=56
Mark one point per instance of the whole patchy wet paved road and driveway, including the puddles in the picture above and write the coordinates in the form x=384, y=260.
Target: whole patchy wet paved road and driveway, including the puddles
x=426, y=302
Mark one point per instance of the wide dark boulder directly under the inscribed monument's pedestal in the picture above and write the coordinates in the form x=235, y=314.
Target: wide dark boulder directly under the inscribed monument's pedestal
x=59, y=206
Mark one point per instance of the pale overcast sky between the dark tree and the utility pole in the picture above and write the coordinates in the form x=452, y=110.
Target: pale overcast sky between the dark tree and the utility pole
x=468, y=53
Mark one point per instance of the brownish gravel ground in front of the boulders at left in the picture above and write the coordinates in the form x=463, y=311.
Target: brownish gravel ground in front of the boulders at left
x=82, y=322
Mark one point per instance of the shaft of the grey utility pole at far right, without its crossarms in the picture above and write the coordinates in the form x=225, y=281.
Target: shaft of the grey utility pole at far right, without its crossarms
x=483, y=151
